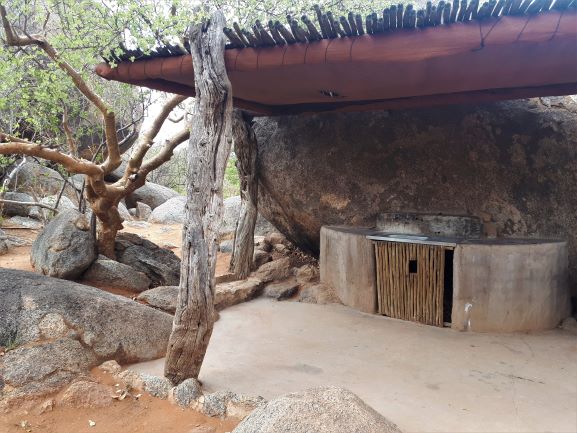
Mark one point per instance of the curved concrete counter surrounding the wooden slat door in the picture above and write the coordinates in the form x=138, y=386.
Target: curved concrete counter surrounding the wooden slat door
x=499, y=285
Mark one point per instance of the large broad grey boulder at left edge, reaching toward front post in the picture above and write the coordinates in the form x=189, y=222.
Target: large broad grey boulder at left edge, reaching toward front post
x=35, y=308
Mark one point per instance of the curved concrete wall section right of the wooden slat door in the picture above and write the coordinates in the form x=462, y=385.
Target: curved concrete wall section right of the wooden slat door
x=505, y=288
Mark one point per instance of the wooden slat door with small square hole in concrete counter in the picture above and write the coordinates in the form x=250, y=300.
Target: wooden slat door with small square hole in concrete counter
x=410, y=281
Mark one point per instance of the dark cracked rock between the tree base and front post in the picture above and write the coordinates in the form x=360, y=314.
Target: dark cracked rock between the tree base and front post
x=161, y=266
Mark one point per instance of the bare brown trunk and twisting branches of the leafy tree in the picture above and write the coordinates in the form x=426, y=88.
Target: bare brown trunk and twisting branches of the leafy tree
x=102, y=197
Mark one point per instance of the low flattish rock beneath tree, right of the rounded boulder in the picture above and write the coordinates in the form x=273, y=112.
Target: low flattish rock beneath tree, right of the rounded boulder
x=110, y=273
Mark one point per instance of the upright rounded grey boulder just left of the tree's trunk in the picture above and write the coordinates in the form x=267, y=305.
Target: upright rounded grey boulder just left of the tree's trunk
x=65, y=248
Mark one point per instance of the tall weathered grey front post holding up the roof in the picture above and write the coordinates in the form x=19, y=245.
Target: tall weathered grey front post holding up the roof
x=208, y=150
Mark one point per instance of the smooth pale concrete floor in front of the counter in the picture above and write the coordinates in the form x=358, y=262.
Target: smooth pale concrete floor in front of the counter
x=425, y=379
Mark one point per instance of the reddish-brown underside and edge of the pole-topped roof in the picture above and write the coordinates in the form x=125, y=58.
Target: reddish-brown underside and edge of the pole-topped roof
x=486, y=59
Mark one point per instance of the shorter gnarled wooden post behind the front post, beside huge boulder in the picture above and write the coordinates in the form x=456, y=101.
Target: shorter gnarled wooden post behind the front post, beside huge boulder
x=245, y=147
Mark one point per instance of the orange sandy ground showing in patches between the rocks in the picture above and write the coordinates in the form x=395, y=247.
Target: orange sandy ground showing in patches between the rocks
x=147, y=415
